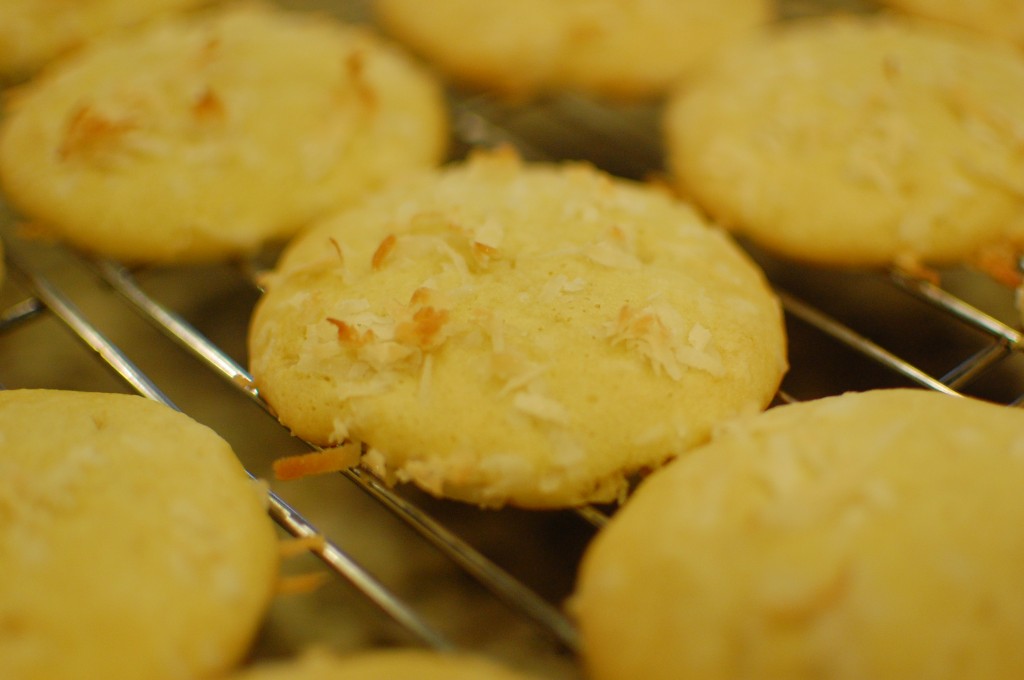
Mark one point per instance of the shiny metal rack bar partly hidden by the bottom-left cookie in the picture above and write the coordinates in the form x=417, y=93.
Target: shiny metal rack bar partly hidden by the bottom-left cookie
x=280, y=512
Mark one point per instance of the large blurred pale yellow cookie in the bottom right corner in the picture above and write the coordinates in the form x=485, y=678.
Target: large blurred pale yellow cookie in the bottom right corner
x=872, y=535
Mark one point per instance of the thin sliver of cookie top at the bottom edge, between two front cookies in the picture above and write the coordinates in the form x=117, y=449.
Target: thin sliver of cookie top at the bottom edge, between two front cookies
x=386, y=665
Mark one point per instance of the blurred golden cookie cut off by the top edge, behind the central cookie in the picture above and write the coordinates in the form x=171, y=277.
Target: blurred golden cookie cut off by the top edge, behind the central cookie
x=605, y=48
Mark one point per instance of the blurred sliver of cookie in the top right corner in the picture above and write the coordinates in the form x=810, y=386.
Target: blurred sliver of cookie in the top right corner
x=1000, y=19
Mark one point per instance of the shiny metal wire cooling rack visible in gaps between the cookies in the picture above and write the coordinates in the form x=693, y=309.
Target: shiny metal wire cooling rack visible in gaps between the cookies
x=416, y=571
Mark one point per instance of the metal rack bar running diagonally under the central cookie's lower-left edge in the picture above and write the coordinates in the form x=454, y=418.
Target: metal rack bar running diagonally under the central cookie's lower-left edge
x=485, y=571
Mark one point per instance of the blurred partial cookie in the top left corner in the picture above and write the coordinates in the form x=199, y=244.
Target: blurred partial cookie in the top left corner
x=37, y=31
